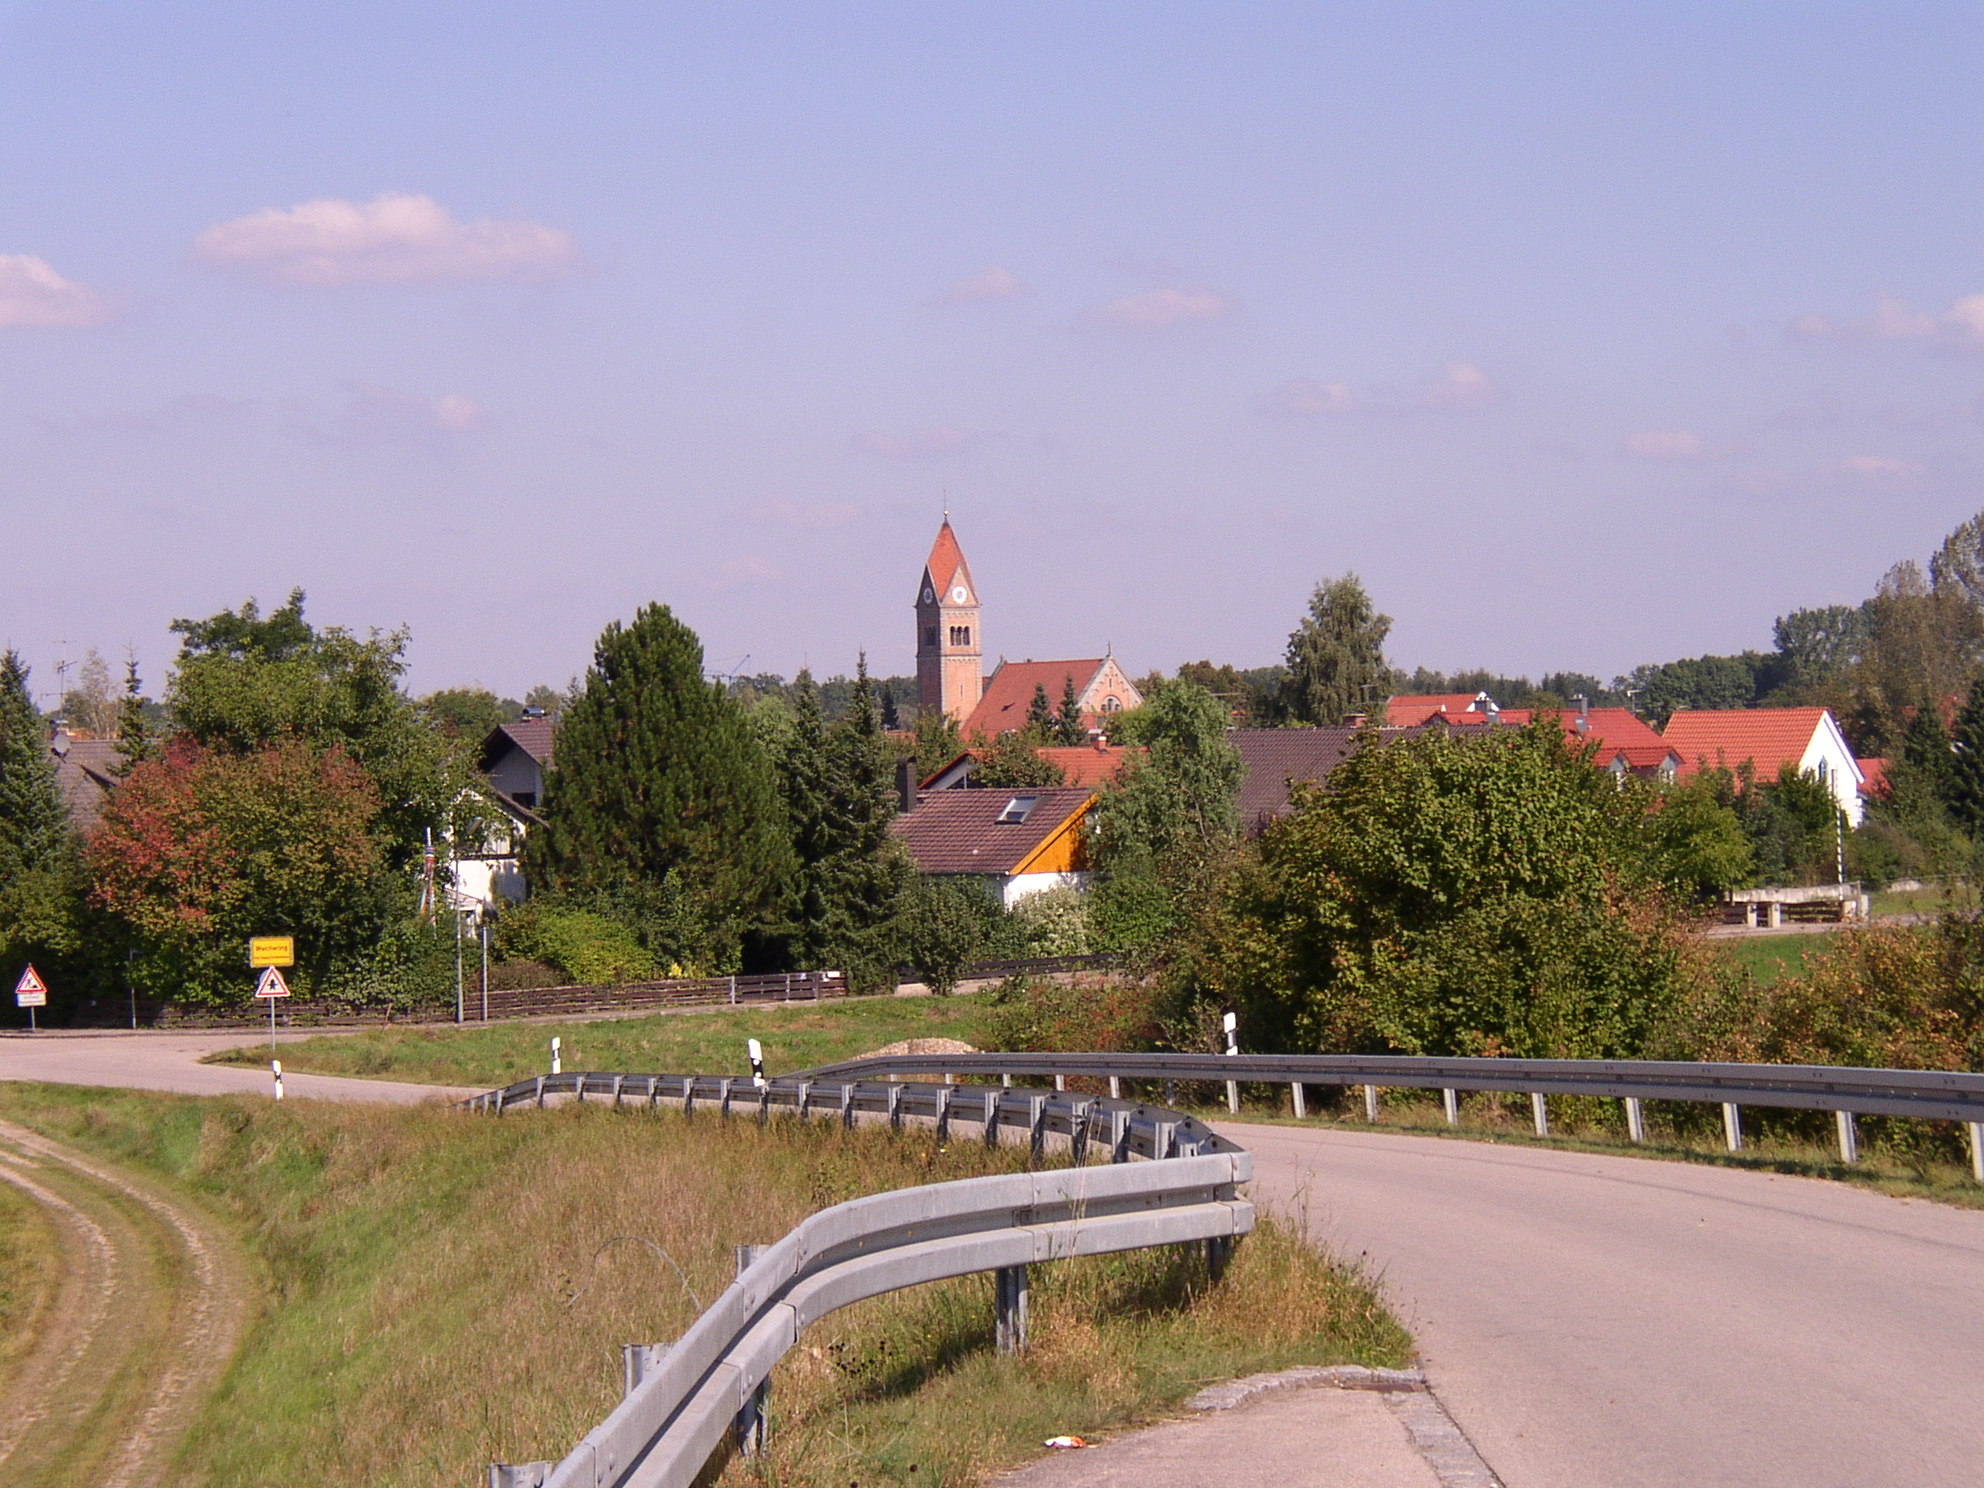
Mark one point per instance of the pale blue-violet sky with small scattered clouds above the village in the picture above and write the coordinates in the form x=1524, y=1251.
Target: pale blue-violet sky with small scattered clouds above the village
x=1588, y=336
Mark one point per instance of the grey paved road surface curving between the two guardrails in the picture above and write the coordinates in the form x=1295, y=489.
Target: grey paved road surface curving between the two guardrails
x=1612, y=1322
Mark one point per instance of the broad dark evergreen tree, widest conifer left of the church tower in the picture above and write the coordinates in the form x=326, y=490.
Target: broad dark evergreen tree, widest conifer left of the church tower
x=664, y=803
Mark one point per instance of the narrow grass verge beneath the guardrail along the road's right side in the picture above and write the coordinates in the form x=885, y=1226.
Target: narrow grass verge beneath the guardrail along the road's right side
x=1898, y=1158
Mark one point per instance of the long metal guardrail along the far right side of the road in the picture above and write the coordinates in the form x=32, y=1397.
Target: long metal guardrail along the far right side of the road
x=1842, y=1090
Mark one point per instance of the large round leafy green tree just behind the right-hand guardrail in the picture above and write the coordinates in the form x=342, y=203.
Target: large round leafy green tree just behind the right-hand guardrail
x=1453, y=896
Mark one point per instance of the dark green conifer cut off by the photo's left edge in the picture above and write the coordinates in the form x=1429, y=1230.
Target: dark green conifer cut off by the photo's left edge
x=41, y=912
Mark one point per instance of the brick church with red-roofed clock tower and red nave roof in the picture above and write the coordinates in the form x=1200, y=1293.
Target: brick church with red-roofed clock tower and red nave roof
x=951, y=660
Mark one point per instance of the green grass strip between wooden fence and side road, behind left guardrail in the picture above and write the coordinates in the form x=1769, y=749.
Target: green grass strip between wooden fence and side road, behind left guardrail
x=797, y=1037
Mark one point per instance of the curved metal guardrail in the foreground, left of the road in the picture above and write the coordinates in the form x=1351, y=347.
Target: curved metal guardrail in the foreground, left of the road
x=683, y=1398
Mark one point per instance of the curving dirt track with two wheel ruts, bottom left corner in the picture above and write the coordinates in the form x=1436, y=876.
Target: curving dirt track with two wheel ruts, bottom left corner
x=136, y=1332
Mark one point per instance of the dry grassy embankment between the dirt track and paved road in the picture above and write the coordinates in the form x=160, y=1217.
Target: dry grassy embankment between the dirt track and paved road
x=447, y=1291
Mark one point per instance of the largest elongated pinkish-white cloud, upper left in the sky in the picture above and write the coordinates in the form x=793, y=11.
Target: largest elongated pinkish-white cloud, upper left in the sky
x=384, y=241
